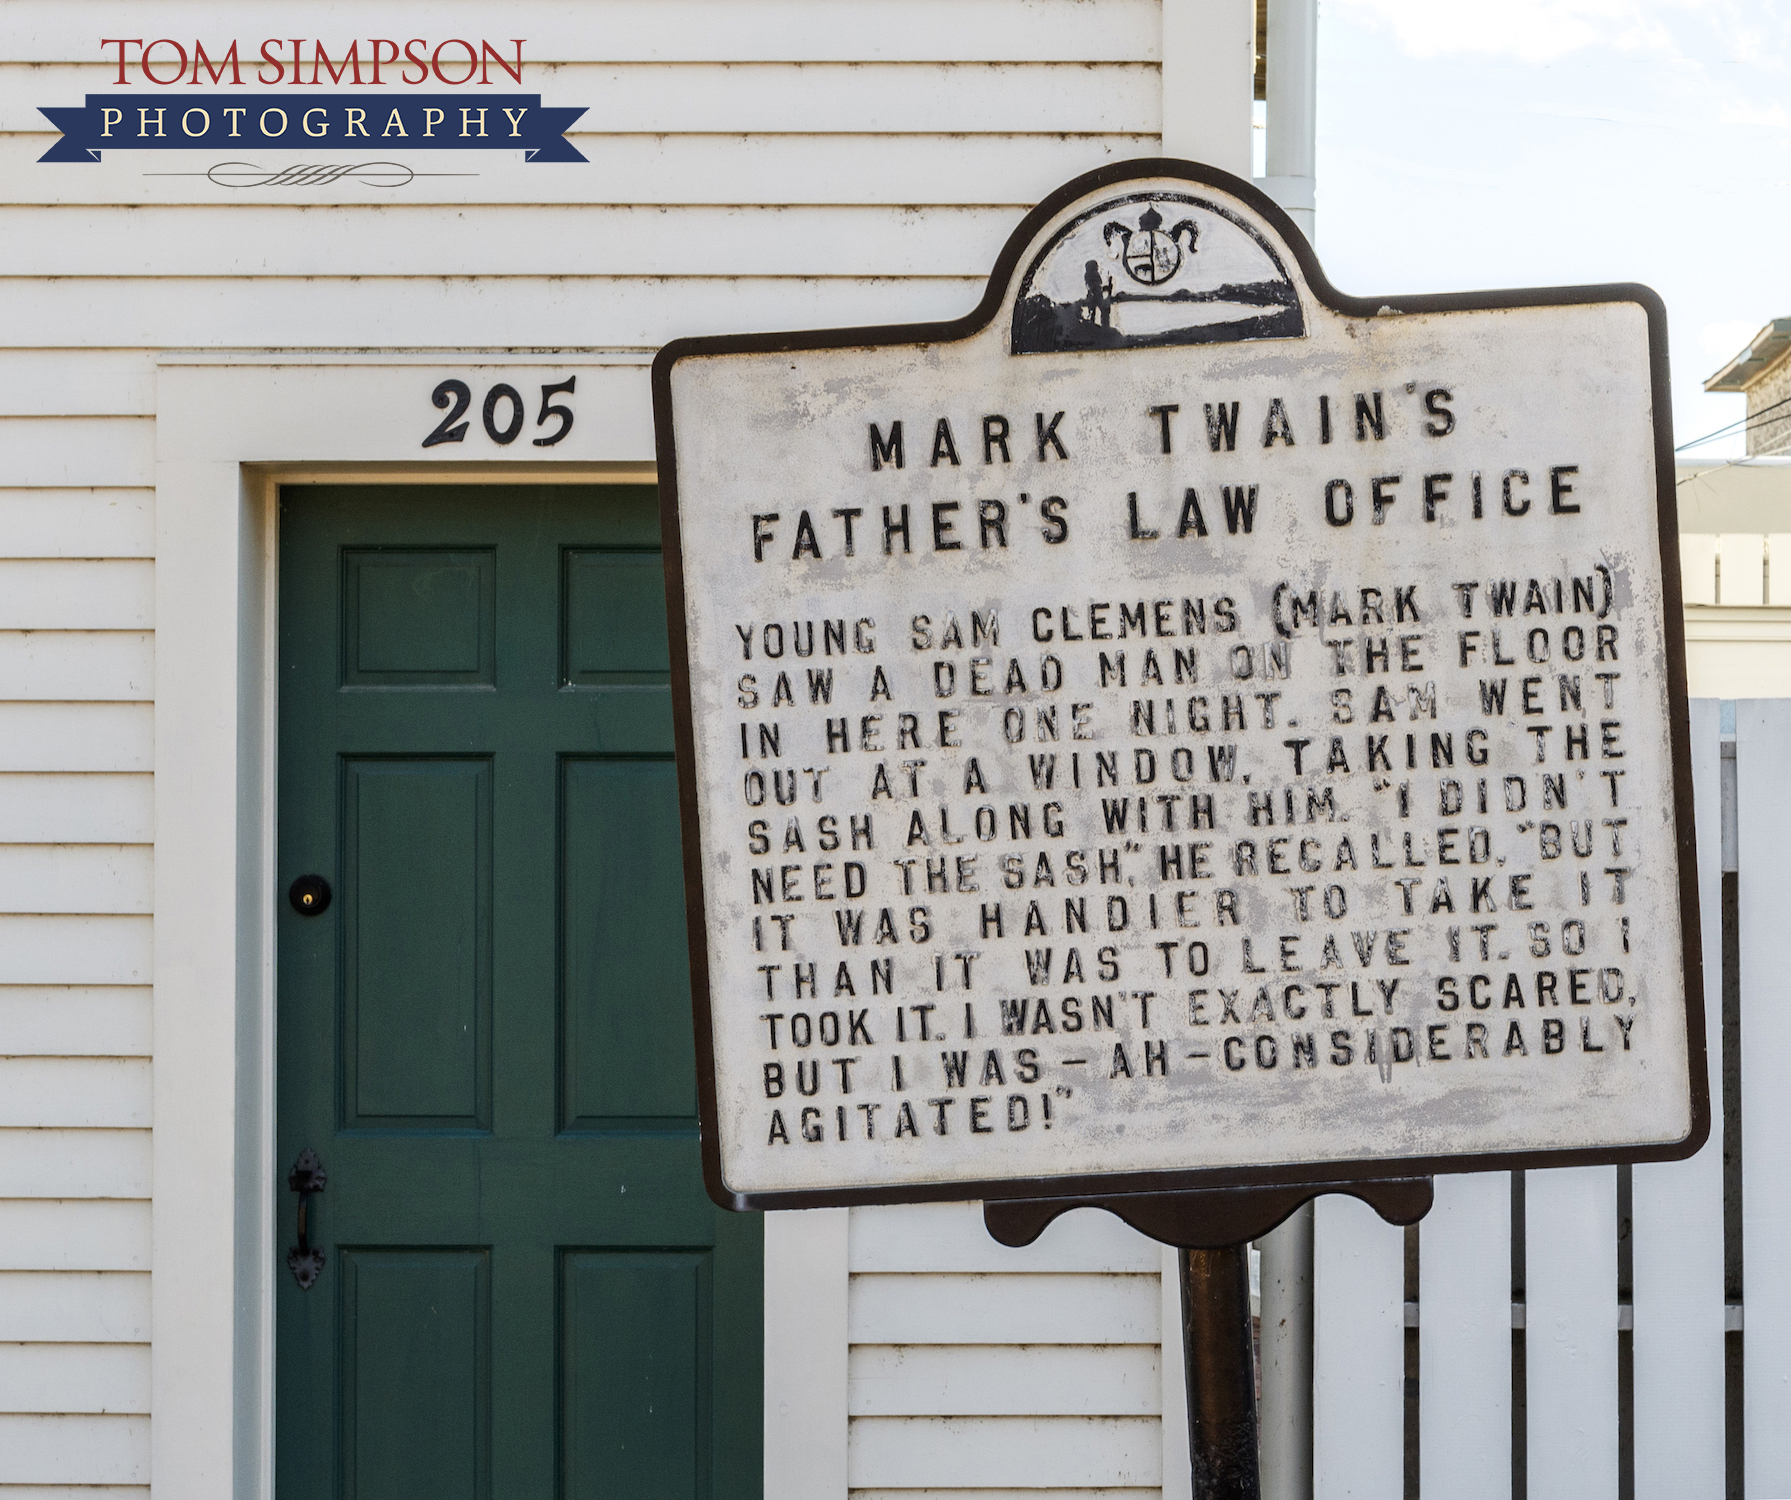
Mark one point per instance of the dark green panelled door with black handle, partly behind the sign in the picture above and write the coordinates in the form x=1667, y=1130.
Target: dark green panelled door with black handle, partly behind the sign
x=486, y=1036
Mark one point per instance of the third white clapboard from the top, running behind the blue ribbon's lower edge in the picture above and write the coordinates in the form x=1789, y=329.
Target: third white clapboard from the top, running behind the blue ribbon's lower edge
x=735, y=169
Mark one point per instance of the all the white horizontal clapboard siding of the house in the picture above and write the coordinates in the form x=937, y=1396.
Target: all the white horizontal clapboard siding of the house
x=775, y=164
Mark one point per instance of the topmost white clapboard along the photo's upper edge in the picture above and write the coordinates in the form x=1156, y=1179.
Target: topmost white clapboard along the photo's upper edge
x=46, y=31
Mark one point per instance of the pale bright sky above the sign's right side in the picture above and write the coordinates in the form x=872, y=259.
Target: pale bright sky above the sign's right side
x=1473, y=144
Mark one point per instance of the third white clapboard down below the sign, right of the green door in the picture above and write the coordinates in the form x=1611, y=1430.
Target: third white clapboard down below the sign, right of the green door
x=1000, y=1381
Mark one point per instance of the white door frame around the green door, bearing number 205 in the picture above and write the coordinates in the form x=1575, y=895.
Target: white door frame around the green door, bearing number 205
x=228, y=434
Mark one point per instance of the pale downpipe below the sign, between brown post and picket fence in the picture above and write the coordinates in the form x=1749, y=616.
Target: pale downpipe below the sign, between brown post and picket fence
x=1289, y=1359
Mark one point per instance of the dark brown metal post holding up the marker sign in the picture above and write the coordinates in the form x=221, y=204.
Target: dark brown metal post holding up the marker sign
x=1221, y=1372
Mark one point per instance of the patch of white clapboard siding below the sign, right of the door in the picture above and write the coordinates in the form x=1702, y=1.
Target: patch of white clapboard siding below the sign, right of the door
x=982, y=1370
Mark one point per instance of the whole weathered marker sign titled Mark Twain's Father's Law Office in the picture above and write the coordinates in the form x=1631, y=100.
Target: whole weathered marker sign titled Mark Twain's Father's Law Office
x=1183, y=726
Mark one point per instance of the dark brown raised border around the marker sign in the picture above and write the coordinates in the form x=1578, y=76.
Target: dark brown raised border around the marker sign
x=1106, y=1184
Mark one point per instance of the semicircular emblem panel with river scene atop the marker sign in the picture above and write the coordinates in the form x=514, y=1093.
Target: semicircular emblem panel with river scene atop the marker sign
x=1149, y=269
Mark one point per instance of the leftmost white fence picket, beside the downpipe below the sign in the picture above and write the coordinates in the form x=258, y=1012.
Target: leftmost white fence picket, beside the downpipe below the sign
x=1358, y=1354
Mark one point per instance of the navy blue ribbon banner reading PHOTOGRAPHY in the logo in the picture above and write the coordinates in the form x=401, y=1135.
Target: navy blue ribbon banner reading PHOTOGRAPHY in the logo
x=314, y=123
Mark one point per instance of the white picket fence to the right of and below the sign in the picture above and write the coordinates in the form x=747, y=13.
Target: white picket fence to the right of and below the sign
x=1640, y=1361
